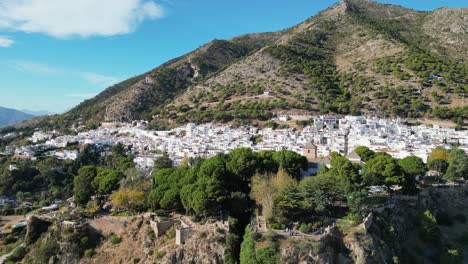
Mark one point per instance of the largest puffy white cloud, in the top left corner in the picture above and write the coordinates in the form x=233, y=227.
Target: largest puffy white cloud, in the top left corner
x=66, y=18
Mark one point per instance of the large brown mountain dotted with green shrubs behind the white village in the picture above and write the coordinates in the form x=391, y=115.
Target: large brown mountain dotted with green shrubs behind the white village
x=357, y=57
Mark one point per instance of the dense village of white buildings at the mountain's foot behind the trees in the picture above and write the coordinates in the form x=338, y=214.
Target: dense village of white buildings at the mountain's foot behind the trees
x=316, y=142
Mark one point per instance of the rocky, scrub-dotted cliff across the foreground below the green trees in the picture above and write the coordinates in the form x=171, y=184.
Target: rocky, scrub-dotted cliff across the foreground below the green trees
x=394, y=232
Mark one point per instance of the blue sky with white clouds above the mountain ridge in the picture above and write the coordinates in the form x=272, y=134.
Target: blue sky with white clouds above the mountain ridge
x=56, y=53
